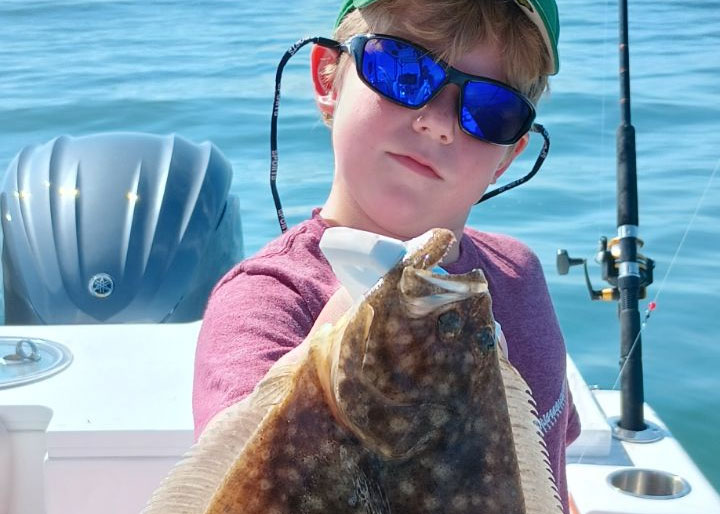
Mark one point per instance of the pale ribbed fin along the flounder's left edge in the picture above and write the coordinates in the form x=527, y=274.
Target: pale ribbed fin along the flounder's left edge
x=191, y=484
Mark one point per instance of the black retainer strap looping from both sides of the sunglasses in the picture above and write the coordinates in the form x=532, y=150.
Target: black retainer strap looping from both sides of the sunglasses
x=329, y=43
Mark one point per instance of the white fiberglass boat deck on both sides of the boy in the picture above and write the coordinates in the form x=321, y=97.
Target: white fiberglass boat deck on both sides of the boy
x=100, y=435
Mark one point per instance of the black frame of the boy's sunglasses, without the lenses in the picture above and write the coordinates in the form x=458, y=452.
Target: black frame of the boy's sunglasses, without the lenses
x=355, y=46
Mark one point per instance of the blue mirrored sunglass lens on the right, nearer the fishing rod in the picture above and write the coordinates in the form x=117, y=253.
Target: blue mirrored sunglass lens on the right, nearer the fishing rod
x=494, y=113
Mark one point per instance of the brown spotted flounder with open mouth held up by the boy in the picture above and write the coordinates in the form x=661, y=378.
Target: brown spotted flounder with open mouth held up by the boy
x=405, y=405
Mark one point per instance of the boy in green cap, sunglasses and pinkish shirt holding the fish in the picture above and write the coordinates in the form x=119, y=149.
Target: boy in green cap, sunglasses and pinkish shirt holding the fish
x=409, y=156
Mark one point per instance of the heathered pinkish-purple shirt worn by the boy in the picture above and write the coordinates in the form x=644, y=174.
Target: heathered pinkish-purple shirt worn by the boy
x=267, y=304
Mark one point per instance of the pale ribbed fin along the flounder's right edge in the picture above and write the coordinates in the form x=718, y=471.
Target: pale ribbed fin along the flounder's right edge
x=538, y=484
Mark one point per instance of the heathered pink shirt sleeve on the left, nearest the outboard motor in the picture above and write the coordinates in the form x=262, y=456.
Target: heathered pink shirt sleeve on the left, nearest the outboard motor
x=251, y=320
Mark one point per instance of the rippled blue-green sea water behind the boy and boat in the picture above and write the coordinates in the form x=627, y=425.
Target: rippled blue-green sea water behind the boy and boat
x=206, y=70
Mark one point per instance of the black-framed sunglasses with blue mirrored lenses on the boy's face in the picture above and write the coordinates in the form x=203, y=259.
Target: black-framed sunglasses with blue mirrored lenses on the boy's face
x=409, y=75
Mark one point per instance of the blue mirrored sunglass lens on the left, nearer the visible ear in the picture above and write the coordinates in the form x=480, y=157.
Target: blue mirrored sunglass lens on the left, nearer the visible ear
x=400, y=71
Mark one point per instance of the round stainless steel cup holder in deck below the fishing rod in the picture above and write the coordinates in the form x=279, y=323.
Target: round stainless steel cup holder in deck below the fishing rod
x=649, y=483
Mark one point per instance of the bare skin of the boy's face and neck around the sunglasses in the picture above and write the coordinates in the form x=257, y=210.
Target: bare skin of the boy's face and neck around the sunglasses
x=400, y=171
